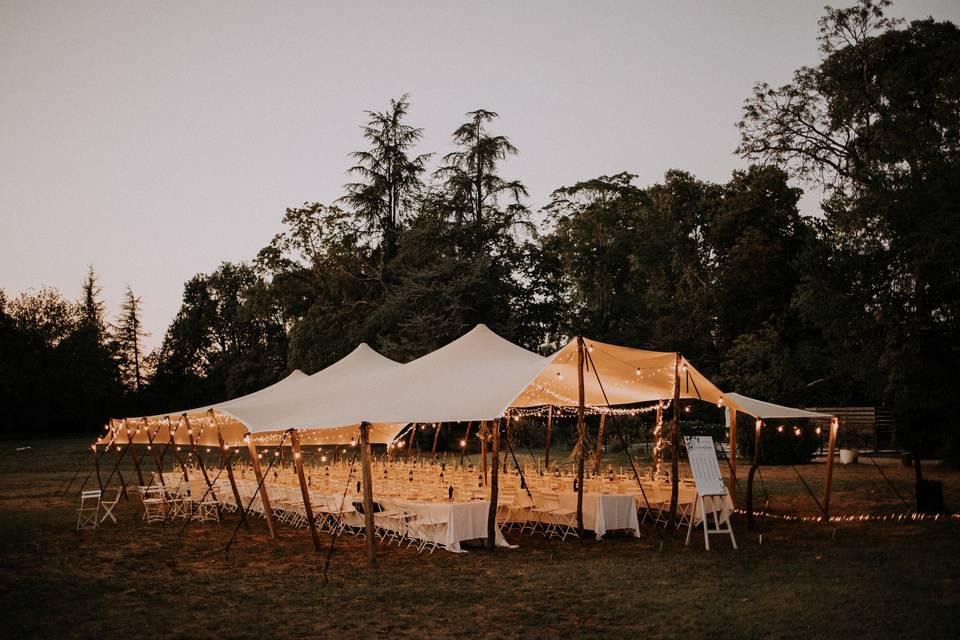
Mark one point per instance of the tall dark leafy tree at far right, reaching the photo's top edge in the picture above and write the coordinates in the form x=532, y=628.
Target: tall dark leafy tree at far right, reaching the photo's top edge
x=876, y=123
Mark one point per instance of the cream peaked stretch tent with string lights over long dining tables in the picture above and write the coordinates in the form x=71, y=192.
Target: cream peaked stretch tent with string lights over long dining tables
x=190, y=465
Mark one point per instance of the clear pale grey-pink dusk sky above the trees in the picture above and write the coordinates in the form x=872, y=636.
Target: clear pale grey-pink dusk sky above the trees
x=154, y=140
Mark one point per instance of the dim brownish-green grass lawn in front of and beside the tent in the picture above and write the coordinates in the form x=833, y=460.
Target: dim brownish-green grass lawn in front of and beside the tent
x=864, y=580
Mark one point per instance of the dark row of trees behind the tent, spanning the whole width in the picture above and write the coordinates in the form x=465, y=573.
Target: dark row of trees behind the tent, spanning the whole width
x=855, y=306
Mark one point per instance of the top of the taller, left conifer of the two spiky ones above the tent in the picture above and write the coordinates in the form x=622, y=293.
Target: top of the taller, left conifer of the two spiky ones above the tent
x=390, y=176
